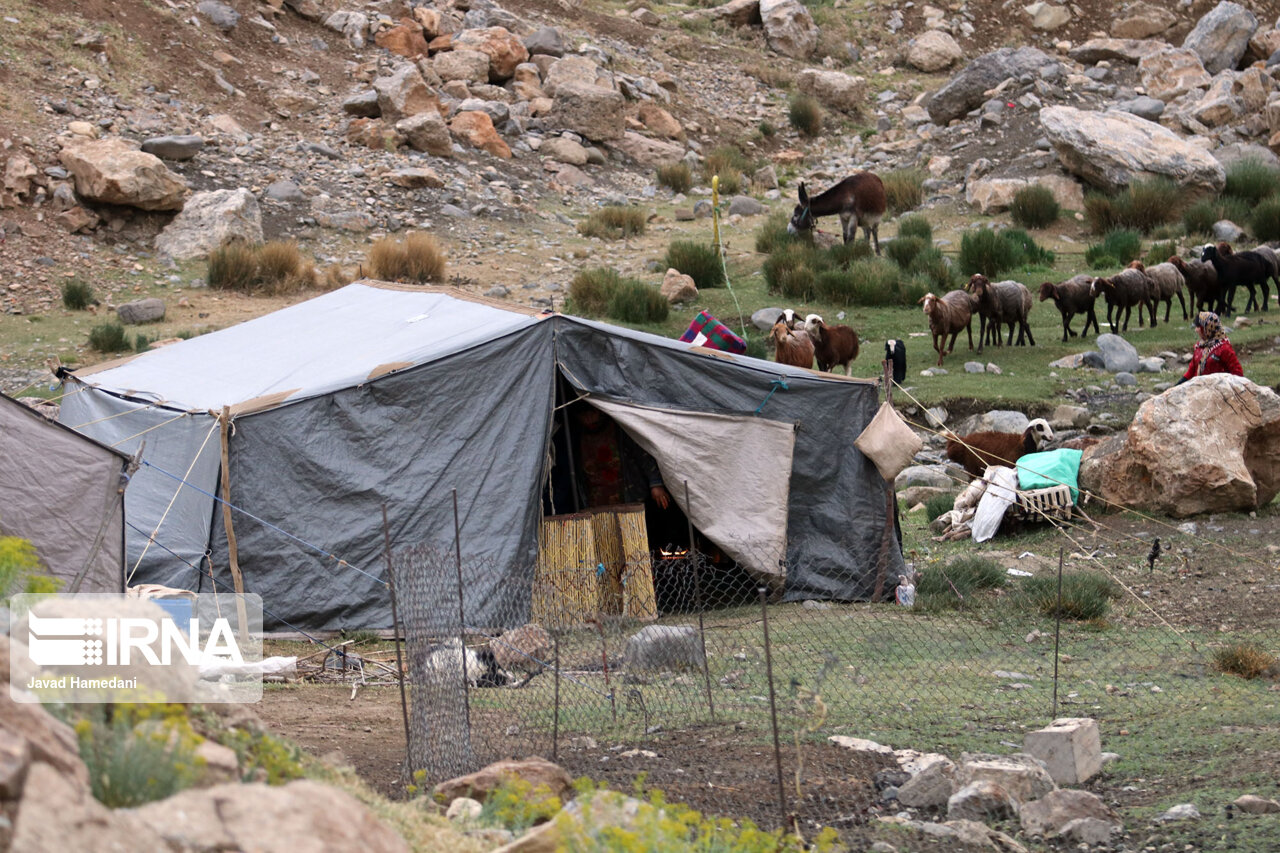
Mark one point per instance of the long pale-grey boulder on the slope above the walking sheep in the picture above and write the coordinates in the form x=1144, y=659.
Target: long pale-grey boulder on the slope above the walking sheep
x=1113, y=149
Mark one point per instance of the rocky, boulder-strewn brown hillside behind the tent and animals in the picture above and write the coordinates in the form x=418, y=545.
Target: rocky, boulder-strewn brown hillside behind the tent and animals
x=139, y=135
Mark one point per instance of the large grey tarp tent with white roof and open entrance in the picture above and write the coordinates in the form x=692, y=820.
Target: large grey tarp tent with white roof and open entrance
x=380, y=394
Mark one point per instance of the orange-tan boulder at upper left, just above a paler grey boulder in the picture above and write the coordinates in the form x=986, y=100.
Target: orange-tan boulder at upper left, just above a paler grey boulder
x=115, y=172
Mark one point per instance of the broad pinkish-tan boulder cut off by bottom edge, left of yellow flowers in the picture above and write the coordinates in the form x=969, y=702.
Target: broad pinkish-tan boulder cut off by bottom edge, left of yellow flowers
x=268, y=819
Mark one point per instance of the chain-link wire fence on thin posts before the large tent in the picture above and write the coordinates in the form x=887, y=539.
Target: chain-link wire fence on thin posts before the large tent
x=679, y=664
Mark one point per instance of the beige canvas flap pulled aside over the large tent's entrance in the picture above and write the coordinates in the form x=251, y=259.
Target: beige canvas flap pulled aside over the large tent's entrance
x=738, y=469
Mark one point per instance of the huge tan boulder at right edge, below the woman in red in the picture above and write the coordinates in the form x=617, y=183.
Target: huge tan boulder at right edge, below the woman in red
x=1212, y=445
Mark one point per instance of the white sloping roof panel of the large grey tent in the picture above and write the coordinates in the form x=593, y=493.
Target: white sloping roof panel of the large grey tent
x=330, y=343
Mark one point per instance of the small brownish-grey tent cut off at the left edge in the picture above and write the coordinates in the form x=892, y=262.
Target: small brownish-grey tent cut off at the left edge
x=65, y=494
